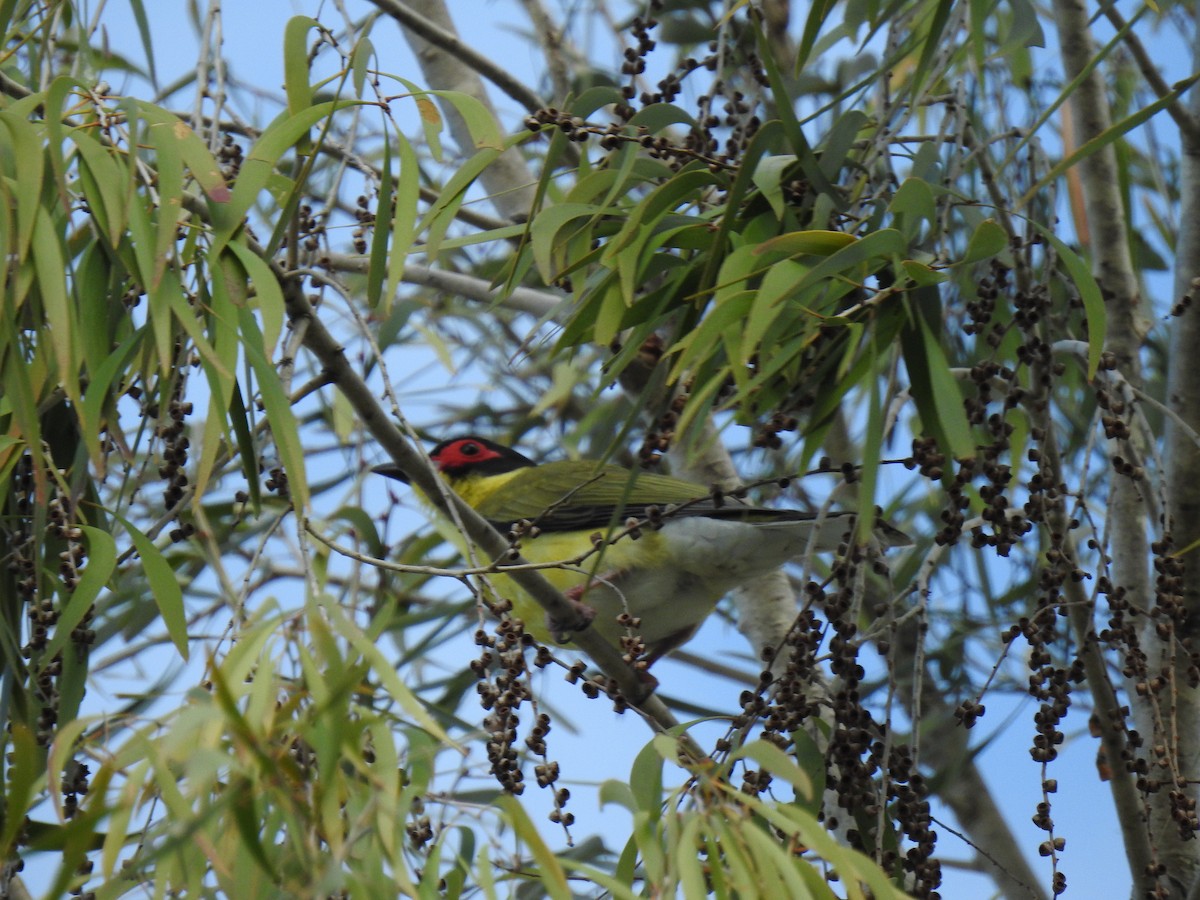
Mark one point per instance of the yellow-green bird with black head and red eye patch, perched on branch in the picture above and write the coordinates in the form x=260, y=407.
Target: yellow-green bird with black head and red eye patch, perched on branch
x=679, y=549
